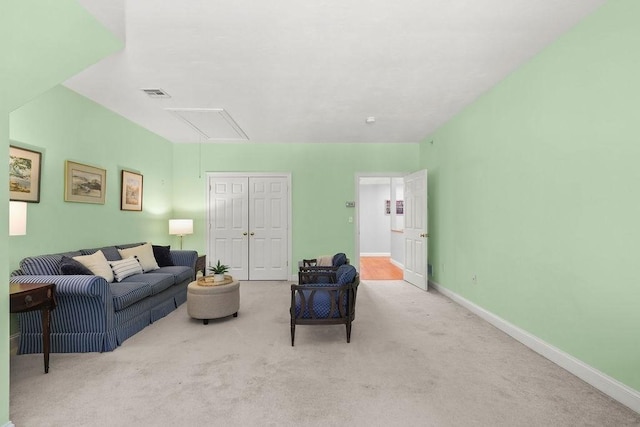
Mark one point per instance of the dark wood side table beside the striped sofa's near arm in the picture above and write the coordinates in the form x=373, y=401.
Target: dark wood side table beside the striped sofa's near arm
x=36, y=296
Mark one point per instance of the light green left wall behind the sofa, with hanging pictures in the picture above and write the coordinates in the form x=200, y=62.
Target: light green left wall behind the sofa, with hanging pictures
x=66, y=126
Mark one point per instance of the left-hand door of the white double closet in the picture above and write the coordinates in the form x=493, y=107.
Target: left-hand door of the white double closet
x=229, y=224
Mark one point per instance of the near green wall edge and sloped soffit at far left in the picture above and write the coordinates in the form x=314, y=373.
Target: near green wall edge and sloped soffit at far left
x=41, y=45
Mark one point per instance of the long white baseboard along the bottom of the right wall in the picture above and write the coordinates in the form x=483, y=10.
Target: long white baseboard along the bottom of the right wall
x=609, y=386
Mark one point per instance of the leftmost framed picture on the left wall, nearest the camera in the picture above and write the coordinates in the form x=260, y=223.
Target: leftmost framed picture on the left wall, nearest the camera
x=24, y=174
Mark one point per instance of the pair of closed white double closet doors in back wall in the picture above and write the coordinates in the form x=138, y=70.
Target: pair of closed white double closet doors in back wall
x=248, y=217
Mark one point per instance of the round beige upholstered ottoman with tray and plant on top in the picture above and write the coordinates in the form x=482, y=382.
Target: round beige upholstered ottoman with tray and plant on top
x=211, y=301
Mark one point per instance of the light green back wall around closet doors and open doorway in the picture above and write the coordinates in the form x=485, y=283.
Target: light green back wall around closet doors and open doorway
x=322, y=175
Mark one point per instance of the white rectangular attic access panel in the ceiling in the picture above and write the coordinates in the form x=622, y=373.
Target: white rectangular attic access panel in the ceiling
x=211, y=123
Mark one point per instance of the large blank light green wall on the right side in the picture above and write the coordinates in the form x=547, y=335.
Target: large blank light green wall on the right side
x=536, y=189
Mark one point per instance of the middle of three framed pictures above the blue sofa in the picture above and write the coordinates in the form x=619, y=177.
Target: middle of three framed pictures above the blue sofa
x=84, y=184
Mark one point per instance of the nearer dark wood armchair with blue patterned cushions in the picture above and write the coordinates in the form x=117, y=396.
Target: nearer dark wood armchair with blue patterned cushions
x=324, y=297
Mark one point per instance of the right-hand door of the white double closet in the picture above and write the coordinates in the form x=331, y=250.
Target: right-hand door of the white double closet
x=268, y=228
